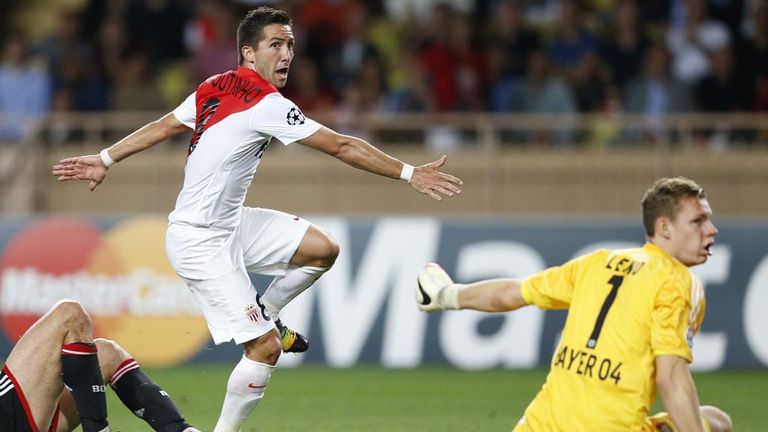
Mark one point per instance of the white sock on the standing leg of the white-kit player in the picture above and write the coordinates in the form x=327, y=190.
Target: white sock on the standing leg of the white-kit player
x=245, y=389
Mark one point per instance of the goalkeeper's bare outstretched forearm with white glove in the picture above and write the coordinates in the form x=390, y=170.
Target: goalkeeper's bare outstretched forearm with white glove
x=436, y=290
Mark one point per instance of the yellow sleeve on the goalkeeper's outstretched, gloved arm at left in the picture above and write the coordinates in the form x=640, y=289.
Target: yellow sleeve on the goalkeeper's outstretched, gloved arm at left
x=553, y=288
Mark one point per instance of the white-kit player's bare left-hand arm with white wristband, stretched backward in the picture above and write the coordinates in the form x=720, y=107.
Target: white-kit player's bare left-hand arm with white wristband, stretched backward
x=94, y=167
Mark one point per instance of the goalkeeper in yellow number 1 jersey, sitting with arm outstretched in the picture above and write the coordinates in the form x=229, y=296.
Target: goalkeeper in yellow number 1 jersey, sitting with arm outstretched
x=632, y=314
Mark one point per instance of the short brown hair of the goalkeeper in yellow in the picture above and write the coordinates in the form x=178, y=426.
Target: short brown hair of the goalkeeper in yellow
x=663, y=200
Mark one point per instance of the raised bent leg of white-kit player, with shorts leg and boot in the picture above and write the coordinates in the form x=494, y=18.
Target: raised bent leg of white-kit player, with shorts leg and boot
x=292, y=249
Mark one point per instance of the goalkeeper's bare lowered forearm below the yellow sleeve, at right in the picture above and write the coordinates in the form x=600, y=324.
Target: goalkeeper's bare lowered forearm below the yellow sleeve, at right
x=678, y=391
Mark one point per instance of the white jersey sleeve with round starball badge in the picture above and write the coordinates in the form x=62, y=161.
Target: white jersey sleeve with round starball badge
x=279, y=117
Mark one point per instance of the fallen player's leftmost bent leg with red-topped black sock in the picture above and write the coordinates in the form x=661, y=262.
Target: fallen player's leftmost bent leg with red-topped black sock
x=60, y=344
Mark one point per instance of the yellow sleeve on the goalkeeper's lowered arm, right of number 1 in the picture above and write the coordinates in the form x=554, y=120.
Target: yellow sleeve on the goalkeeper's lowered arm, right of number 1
x=673, y=321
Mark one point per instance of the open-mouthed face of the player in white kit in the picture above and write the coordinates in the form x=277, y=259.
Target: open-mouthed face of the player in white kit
x=273, y=56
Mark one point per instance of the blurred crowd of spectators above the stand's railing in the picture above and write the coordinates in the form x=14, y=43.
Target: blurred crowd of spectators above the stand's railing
x=537, y=56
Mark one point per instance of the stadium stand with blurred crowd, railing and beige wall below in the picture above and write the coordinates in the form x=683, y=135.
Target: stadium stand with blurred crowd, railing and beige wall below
x=553, y=106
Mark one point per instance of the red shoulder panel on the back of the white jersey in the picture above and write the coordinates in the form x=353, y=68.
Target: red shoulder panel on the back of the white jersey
x=228, y=93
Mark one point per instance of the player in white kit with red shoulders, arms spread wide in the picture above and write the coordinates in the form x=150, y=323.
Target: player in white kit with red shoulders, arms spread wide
x=212, y=240
